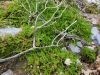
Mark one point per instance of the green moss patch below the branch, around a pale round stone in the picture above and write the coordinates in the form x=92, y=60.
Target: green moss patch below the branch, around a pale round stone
x=50, y=61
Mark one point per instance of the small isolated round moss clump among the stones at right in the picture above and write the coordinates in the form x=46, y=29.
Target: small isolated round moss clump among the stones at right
x=88, y=55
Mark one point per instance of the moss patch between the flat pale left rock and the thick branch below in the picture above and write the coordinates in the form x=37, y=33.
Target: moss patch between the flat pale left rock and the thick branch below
x=15, y=44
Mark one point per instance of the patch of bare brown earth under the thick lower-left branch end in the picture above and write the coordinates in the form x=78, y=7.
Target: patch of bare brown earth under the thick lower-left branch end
x=14, y=66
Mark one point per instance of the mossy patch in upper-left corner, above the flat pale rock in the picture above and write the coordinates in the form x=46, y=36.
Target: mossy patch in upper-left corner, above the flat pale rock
x=12, y=14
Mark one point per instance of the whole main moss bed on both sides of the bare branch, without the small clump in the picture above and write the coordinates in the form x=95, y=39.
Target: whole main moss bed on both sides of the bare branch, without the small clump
x=49, y=60
